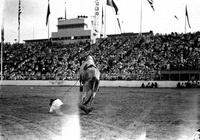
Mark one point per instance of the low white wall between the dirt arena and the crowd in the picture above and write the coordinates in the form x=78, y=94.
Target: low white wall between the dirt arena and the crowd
x=103, y=83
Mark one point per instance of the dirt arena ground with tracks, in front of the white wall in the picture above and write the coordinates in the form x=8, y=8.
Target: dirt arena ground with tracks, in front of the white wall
x=120, y=113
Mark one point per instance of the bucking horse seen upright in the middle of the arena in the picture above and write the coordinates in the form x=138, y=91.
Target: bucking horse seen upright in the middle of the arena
x=89, y=80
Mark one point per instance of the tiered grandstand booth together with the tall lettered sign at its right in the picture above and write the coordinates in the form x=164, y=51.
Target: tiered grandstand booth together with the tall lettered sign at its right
x=80, y=28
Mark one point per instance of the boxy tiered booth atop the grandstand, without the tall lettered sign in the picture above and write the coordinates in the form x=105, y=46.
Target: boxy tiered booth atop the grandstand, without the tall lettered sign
x=72, y=30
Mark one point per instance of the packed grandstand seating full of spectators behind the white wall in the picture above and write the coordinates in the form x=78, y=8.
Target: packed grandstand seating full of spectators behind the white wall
x=119, y=57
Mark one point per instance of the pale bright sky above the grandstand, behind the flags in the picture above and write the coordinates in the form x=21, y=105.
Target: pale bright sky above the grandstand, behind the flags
x=33, y=16
